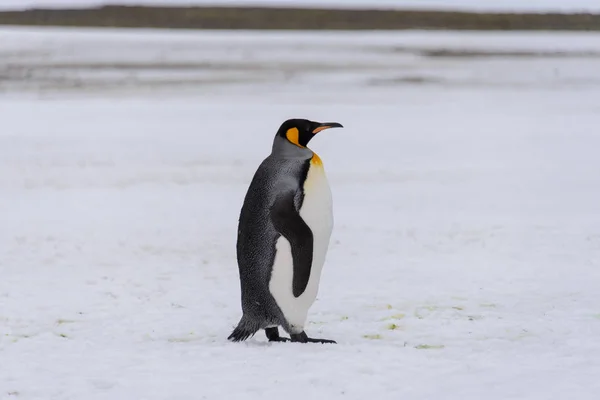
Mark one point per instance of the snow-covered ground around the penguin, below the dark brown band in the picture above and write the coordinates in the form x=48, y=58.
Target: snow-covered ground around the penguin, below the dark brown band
x=464, y=261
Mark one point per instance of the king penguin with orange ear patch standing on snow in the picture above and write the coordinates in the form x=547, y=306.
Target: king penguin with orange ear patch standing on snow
x=283, y=235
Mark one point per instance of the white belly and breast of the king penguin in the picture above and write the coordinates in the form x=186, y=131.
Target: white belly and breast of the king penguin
x=317, y=212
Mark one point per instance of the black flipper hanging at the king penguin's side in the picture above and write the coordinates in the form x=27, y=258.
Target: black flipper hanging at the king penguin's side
x=291, y=226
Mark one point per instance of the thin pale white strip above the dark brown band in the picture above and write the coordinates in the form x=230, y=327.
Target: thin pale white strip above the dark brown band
x=470, y=5
